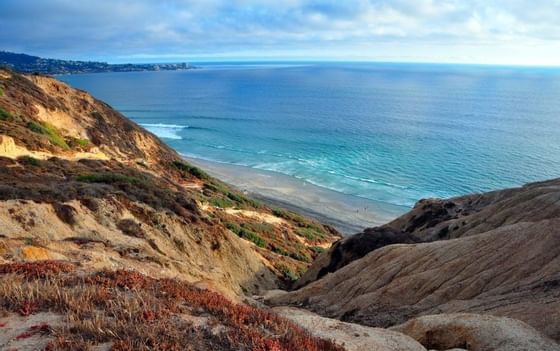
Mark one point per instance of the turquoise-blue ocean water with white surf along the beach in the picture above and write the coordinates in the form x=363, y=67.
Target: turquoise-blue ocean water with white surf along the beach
x=393, y=133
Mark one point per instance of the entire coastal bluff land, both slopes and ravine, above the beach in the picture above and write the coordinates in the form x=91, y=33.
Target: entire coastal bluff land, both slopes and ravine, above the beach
x=109, y=240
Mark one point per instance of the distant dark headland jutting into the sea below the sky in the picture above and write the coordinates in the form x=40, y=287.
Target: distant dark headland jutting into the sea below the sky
x=34, y=64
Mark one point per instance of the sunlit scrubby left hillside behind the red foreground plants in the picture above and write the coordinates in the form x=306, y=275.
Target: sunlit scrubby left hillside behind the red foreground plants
x=81, y=184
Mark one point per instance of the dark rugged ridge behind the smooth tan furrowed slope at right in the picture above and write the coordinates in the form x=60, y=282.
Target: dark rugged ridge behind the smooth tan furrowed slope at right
x=435, y=219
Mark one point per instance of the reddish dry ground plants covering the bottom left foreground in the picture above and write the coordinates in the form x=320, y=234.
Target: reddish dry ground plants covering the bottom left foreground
x=135, y=312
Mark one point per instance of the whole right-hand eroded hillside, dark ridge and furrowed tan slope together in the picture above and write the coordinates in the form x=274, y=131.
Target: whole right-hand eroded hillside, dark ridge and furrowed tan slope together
x=494, y=254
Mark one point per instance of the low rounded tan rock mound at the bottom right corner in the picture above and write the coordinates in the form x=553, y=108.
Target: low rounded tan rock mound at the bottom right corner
x=475, y=332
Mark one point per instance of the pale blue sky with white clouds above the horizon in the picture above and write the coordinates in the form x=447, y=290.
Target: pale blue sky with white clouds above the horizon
x=511, y=32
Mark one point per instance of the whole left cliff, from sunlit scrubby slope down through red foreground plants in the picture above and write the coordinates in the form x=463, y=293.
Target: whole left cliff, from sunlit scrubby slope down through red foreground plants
x=86, y=194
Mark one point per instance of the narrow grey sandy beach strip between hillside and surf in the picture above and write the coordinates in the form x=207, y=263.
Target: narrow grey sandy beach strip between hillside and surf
x=348, y=214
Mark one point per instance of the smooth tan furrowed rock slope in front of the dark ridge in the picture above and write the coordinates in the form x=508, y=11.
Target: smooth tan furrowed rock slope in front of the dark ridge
x=511, y=271
